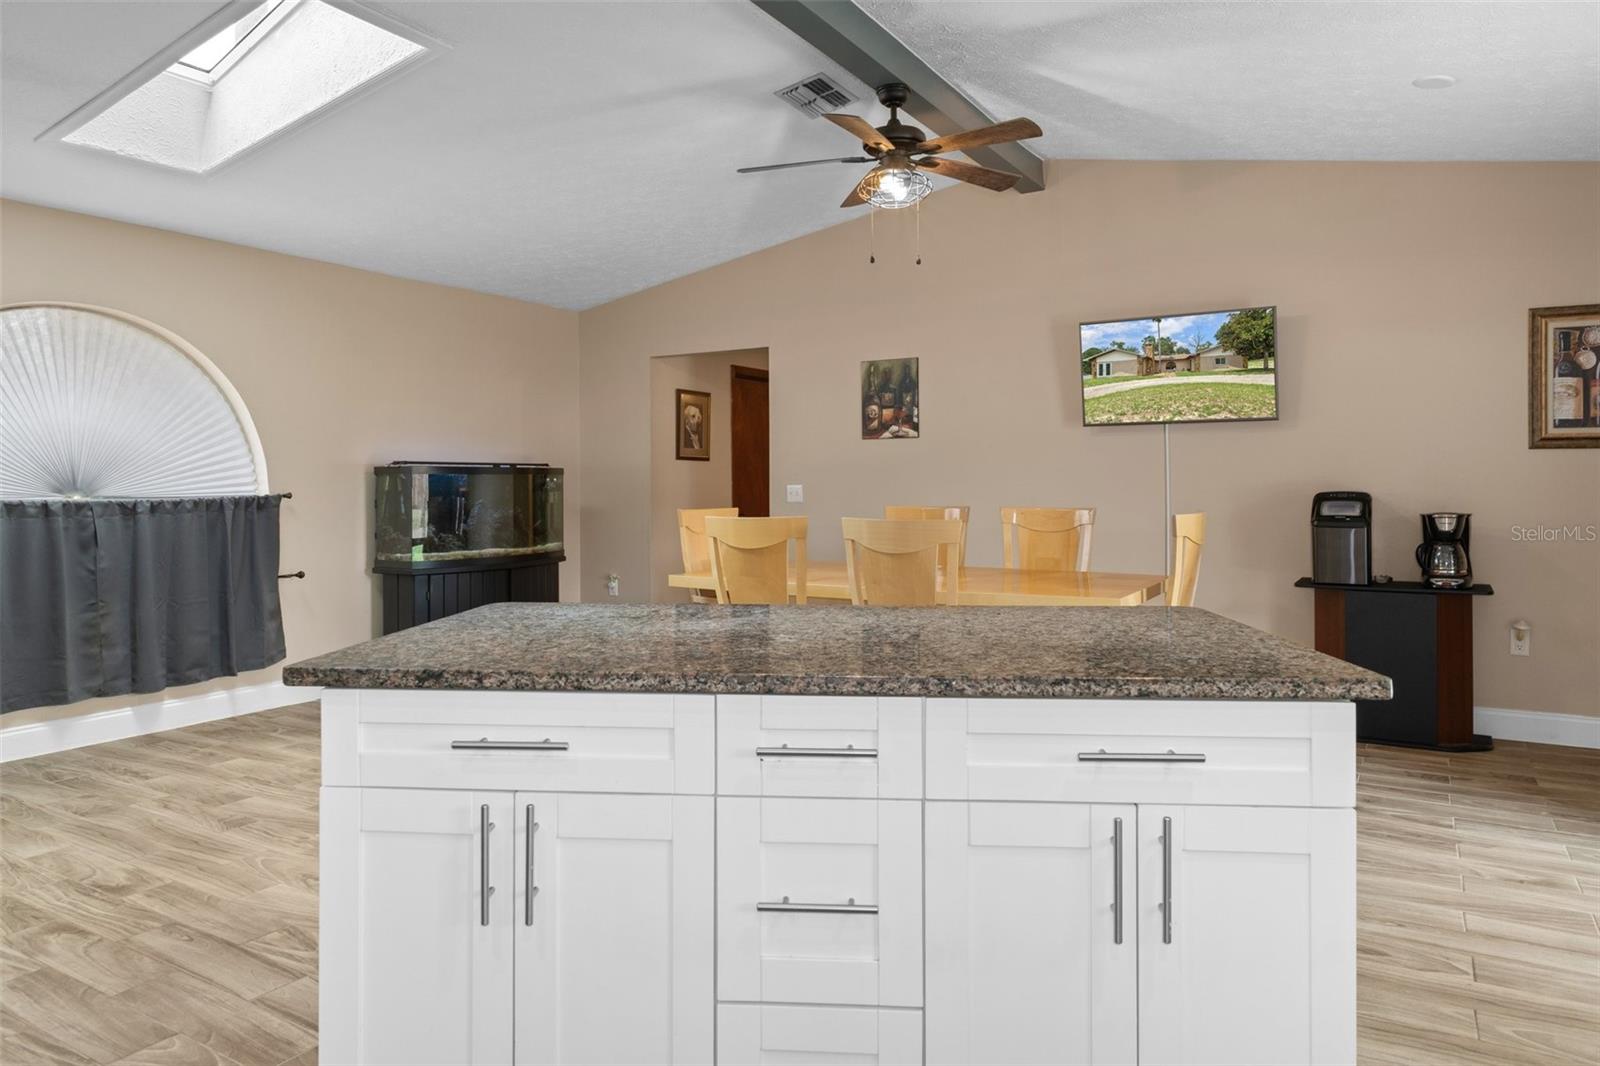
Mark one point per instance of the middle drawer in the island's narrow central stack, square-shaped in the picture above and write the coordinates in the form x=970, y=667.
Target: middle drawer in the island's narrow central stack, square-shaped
x=820, y=902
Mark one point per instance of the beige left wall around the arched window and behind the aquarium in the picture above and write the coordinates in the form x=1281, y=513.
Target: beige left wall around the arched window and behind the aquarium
x=342, y=371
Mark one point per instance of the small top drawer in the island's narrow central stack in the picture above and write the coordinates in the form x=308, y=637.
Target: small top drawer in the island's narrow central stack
x=847, y=747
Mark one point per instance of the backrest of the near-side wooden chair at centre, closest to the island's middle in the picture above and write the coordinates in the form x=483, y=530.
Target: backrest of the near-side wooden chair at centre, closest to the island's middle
x=898, y=564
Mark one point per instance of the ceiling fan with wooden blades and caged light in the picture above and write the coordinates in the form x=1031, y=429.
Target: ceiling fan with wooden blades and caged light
x=903, y=153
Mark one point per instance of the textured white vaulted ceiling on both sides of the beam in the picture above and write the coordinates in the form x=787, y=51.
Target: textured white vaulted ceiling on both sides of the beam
x=575, y=153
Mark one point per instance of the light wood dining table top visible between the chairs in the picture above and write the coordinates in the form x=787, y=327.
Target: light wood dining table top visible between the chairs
x=983, y=587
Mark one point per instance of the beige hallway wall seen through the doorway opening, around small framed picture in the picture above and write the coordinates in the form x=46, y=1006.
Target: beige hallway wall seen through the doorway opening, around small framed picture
x=684, y=483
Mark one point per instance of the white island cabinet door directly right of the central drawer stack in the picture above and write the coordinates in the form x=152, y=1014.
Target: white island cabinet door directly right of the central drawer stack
x=1030, y=960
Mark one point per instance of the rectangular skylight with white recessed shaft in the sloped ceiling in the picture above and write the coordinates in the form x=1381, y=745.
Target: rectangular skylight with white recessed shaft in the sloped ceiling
x=266, y=73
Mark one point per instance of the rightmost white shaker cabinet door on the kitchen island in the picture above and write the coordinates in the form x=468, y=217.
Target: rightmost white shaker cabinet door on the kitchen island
x=1258, y=961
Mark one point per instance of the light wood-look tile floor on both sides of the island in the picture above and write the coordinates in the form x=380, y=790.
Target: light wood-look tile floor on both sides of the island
x=159, y=902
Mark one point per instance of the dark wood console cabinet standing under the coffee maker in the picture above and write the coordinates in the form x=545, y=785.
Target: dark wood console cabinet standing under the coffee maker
x=1422, y=638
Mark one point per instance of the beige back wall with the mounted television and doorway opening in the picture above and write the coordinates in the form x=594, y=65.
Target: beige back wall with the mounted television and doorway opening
x=1402, y=295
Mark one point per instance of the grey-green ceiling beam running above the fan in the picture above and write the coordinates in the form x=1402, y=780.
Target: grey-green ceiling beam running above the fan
x=852, y=39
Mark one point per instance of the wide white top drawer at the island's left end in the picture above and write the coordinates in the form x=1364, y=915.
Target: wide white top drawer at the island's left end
x=519, y=740
